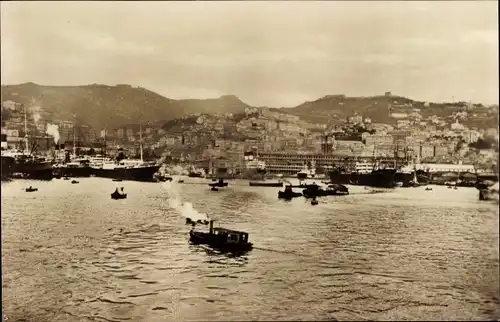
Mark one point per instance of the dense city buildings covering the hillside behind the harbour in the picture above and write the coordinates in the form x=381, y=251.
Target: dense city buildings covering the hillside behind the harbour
x=269, y=133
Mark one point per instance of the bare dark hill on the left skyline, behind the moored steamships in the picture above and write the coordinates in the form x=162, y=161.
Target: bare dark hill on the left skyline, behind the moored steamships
x=103, y=106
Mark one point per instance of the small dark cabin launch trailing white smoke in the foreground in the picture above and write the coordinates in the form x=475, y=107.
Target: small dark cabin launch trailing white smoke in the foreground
x=222, y=239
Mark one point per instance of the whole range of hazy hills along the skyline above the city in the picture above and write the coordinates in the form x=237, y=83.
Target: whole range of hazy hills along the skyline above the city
x=104, y=106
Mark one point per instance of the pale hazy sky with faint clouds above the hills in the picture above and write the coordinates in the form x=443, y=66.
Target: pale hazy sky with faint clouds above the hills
x=266, y=53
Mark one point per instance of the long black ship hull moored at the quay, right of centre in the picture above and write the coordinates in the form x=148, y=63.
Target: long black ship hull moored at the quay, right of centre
x=377, y=178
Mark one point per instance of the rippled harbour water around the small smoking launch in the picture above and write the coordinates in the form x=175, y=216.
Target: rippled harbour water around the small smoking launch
x=70, y=253
